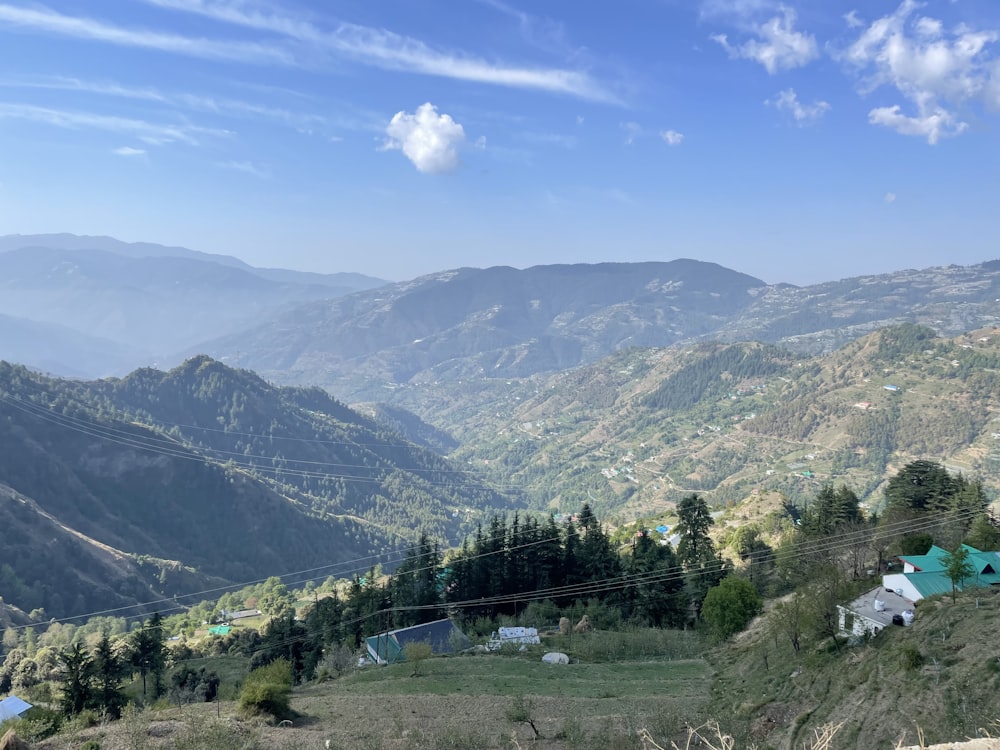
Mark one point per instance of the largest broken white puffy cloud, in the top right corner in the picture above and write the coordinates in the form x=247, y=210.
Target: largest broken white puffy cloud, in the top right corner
x=937, y=70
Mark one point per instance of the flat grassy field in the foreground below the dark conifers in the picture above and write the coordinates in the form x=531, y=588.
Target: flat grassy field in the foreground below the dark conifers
x=474, y=702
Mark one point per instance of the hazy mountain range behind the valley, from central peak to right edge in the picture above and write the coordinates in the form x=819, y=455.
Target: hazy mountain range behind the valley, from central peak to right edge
x=479, y=324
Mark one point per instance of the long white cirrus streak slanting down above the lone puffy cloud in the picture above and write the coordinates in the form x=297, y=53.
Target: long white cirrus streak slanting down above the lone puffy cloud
x=391, y=51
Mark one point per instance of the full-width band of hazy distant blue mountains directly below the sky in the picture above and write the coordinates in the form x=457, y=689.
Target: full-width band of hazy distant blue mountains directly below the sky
x=130, y=305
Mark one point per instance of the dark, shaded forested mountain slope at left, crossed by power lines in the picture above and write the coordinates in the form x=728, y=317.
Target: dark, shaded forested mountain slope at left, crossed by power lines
x=217, y=470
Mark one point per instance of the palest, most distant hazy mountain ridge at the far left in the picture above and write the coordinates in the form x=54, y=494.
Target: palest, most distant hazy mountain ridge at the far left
x=147, y=301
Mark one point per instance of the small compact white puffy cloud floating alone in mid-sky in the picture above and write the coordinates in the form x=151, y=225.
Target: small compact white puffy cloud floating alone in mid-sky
x=431, y=141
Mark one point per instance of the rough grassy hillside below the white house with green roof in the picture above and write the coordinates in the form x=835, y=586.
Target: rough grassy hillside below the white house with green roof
x=869, y=688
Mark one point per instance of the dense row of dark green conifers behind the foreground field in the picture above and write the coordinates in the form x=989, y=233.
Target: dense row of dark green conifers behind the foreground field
x=497, y=573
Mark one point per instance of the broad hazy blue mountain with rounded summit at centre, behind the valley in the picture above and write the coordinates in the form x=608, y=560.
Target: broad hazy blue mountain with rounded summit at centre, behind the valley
x=501, y=321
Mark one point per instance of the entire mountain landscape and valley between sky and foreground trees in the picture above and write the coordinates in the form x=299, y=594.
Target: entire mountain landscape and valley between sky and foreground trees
x=557, y=384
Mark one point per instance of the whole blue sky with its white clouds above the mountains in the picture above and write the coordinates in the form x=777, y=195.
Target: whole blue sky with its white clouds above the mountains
x=795, y=141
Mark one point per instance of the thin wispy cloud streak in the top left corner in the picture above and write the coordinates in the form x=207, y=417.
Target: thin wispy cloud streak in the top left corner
x=52, y=22
